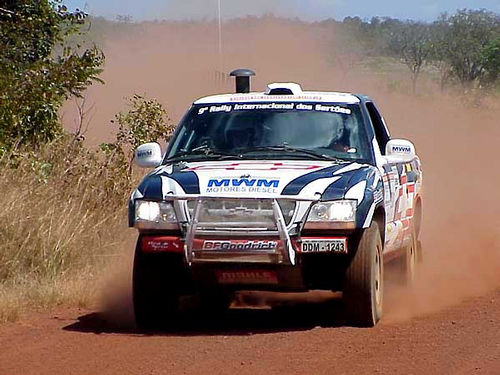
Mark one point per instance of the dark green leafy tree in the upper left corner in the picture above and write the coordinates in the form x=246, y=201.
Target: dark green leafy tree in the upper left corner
x=38, y=69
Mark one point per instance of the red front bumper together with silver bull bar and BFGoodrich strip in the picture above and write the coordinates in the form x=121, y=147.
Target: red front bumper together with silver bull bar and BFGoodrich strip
x=250, y=256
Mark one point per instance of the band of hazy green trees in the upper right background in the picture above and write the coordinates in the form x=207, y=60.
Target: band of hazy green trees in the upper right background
x=463, y=46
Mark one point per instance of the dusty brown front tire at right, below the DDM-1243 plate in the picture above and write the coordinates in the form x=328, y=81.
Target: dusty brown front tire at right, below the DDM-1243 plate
x=363, y=292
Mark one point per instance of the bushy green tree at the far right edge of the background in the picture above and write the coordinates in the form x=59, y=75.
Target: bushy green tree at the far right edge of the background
x=468, y=46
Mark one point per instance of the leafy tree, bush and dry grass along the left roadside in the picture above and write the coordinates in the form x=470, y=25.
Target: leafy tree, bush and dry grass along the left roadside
x=63, y=205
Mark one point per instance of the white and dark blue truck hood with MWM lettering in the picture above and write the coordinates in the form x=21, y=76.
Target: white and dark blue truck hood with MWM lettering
x=252, y=178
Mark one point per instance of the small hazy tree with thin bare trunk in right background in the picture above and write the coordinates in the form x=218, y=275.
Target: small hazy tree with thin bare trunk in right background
x=412, y=43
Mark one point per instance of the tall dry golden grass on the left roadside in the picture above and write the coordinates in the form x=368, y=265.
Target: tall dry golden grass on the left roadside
x=62, y=219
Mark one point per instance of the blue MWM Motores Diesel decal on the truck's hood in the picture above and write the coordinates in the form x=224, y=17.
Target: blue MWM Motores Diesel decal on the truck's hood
x=242, y=185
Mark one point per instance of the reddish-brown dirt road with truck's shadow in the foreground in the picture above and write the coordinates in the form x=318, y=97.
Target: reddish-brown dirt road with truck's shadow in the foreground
x=298, y=338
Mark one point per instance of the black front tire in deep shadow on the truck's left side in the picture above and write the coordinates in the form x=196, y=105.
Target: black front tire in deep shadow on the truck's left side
x=156, y=285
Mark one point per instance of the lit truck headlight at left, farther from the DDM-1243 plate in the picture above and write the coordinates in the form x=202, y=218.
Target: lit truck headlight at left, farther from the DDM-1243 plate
x=155, y=215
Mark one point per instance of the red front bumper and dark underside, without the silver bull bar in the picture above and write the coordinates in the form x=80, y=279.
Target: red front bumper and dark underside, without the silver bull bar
x=258, y=271
